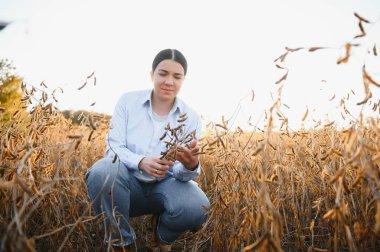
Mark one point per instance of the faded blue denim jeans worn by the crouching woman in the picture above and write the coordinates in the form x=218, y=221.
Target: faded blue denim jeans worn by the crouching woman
x=114, y=190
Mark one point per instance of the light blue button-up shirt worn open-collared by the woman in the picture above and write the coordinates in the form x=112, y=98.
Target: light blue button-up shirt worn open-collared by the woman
x=132, y=134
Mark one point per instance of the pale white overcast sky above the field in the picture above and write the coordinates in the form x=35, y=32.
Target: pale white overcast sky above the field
x=230, y=47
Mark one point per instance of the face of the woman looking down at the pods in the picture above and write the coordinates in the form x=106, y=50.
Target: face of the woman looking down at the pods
x=167, y=79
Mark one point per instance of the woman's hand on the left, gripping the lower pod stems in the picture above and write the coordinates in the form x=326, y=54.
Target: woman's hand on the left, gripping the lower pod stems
x=155, y=166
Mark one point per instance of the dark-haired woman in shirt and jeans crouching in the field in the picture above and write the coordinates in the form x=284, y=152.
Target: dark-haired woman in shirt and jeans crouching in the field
x=140, y=182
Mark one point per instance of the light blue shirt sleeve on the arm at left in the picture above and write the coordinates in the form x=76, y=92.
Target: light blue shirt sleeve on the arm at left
x=117, y=141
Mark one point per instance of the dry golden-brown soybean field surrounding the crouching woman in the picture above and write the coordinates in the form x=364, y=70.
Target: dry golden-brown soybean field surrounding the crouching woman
x=270, y=190
